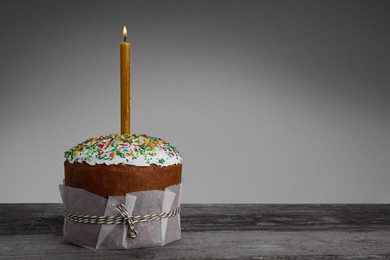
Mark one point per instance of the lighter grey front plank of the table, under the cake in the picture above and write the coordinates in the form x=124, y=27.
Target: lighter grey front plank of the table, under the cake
x=213, y=244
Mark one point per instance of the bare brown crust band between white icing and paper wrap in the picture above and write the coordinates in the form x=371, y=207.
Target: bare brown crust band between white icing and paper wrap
x=117, y=180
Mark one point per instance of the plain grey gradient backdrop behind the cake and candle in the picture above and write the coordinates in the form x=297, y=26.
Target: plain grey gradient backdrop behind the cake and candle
x=268, y=101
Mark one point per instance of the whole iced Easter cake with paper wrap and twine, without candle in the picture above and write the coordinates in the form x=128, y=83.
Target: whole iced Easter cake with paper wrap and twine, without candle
x=122, y=191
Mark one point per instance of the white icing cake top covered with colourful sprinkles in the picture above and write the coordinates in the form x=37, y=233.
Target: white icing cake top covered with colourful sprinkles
x=131, y=149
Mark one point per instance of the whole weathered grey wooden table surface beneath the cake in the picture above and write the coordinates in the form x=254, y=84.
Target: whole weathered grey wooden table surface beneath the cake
x=217, y=231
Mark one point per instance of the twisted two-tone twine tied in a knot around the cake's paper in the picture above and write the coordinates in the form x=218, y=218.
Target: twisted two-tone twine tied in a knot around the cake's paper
x=125, y=218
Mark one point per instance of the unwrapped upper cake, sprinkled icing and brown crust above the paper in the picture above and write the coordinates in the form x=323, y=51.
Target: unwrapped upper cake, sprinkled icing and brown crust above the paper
x=116, y=164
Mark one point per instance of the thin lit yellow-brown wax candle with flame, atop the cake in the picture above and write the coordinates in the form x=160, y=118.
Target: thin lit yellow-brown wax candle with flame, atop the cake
x=125, y=84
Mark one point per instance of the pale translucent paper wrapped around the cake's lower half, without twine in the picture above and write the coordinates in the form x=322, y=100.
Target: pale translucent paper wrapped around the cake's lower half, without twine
x=116, y=236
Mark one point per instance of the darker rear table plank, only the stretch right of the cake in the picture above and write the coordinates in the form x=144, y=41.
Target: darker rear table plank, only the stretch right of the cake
x=285, y=217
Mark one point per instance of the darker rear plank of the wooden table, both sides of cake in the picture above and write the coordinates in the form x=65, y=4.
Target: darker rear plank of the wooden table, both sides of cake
x=47, y=218
